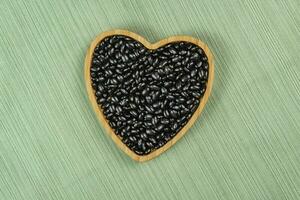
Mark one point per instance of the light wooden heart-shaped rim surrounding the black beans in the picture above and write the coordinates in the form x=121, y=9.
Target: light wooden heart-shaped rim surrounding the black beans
x=97, y=109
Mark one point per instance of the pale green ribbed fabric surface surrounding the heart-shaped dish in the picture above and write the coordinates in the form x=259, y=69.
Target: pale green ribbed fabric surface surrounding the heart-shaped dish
x=245, y=145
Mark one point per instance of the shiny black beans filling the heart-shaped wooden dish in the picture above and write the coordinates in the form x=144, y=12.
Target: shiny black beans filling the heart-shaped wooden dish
x=147, y=96
